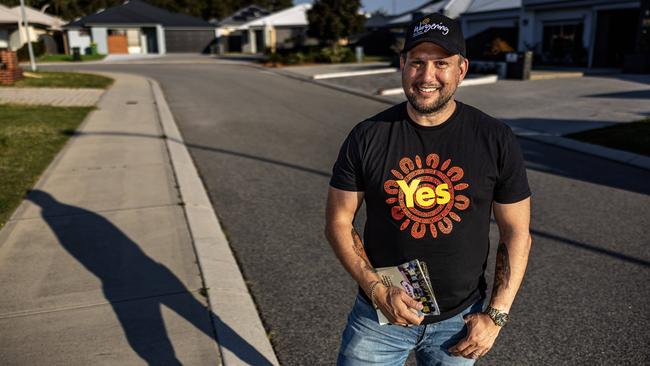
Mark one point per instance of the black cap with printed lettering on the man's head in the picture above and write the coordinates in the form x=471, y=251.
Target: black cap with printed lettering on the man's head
x=435, y=28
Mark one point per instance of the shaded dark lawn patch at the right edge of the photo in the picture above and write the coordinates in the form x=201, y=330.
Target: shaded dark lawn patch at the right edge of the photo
x=633, y=137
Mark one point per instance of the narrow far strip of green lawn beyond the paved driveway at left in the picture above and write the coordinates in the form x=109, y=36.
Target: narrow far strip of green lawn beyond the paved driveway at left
x=63, y=80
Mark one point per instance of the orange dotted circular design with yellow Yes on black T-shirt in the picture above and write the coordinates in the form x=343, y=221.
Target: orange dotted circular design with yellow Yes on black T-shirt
x=426, y=195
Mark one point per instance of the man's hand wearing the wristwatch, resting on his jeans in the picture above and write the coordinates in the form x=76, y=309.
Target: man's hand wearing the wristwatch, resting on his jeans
x=481, y=334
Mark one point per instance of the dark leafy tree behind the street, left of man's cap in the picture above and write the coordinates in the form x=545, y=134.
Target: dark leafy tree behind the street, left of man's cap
x=331, y=20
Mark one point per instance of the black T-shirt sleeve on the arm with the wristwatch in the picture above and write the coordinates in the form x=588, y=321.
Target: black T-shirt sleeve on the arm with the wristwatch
x=512, y=183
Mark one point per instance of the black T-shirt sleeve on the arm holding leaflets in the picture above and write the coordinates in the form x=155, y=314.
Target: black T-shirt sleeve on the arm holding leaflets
x=347, y=171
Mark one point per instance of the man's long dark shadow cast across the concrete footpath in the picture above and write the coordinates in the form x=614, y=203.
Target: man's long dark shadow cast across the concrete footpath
x=135, y=285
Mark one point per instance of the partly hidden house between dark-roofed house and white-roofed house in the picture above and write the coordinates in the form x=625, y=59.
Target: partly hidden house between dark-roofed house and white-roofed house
x=228, y=33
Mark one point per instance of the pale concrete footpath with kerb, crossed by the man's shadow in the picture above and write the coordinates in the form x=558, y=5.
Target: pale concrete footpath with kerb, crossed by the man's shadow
x=117, y=258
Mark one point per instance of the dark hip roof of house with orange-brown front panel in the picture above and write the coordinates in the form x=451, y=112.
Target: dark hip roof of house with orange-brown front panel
x=139, y=12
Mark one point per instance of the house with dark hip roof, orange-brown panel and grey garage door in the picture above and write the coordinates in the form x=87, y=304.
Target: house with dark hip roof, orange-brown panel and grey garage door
x=136, y=27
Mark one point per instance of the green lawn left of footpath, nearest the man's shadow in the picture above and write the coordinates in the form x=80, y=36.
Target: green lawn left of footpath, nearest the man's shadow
x=30, y=137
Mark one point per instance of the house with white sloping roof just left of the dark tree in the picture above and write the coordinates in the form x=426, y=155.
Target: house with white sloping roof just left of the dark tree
x=282, y=29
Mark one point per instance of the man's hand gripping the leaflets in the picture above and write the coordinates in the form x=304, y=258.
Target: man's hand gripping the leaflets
x=397, y=306
